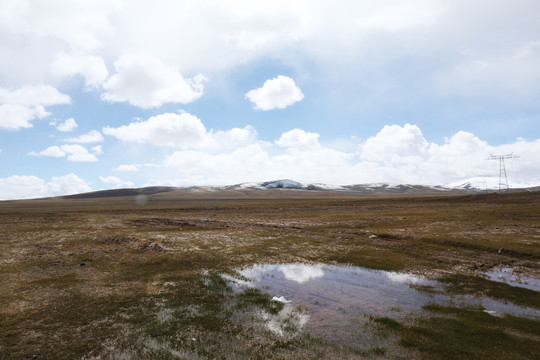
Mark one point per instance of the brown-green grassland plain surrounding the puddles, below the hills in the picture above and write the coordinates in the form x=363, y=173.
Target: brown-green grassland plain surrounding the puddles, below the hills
x=109, y=278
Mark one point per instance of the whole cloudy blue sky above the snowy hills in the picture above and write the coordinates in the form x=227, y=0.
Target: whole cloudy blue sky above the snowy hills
x=102, y=94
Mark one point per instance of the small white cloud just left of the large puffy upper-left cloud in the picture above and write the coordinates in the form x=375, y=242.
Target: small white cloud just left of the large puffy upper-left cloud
x=91, y=67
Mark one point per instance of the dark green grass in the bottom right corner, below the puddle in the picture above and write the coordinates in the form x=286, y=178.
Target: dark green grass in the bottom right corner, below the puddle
x=468, y=333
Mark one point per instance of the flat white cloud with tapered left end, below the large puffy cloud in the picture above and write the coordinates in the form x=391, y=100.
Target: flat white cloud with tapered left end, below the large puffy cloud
x=169, y=129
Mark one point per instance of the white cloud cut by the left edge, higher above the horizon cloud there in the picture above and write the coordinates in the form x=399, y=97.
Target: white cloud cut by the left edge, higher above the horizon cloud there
x=21, y=106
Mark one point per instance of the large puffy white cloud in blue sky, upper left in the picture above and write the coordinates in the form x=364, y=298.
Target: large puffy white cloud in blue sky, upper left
x=143, y=80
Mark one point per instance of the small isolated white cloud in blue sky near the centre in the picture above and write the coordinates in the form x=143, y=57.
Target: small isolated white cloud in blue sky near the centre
x=276, y=93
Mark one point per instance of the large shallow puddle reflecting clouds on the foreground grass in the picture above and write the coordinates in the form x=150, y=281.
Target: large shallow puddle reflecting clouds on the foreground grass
x=335, y=302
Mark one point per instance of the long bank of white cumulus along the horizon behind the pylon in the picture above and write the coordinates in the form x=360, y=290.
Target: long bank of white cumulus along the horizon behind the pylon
x=397, y=154
